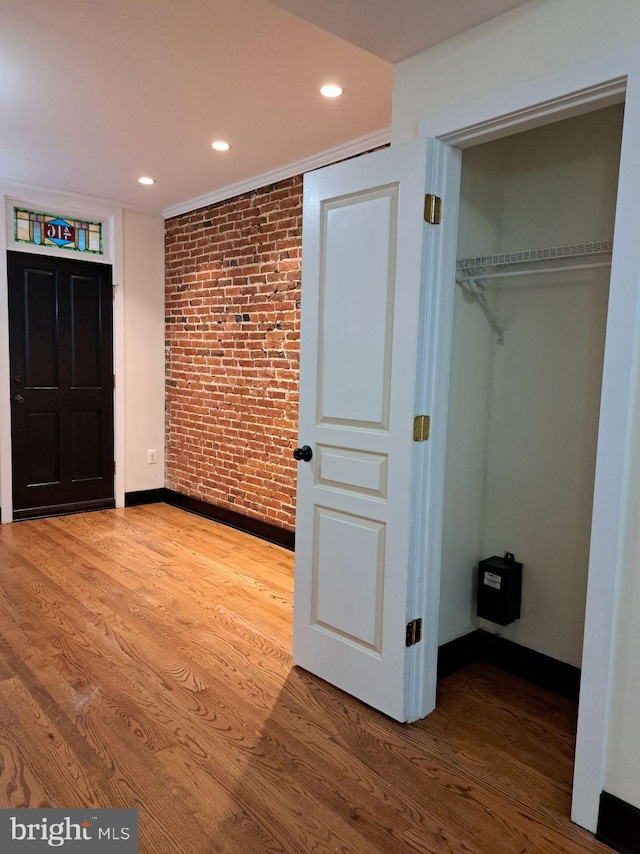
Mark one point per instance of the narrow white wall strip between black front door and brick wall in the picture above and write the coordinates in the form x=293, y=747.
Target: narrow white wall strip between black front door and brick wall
x=143, y=292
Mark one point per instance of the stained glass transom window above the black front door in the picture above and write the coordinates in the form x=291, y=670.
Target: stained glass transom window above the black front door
x=41, y=229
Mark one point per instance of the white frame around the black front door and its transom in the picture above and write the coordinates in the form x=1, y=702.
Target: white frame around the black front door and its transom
x=85, y=208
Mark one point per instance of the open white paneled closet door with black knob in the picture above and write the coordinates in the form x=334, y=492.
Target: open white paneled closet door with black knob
x=361, y=301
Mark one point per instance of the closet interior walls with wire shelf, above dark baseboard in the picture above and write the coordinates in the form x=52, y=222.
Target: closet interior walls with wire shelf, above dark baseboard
x=534, y=252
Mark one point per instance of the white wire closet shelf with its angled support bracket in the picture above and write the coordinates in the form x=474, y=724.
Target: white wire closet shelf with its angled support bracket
x=474, y=273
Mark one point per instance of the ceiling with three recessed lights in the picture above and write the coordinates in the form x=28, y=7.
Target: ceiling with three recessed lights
x=96, y=93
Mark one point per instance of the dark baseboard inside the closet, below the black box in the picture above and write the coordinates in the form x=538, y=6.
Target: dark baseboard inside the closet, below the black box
x=542, y=670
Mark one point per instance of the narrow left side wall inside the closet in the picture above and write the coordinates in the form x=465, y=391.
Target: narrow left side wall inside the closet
x=472, y=352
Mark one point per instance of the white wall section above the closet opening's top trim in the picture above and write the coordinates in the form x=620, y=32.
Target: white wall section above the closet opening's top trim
x=535, y=39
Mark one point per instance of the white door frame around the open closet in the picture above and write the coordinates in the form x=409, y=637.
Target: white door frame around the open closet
x=577, y=89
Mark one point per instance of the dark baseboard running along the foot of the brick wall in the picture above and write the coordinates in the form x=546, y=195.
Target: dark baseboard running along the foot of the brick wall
x=256, y=527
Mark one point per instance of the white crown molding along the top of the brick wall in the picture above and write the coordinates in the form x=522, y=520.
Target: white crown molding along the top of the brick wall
x=298, y=167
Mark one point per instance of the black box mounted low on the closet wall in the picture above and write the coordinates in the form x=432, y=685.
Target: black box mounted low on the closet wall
x=499, y=589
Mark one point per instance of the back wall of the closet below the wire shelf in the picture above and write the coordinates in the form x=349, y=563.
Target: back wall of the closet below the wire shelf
x=542, y=449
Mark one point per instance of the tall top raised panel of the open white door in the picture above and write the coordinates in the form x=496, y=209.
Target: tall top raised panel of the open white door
x=356, y=309
